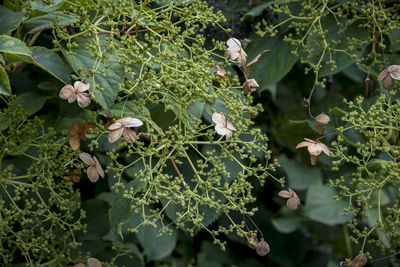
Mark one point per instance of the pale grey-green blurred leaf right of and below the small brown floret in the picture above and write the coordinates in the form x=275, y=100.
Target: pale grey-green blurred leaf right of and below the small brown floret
x=321, y=207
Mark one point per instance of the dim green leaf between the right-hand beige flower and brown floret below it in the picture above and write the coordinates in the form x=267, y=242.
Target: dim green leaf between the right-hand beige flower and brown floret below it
x=300, y=176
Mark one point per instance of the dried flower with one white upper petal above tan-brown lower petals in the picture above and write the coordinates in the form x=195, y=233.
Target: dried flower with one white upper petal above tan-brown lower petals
x=121, y=126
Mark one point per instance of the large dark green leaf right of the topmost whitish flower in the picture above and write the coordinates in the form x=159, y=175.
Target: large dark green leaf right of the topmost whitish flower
x=274, y=65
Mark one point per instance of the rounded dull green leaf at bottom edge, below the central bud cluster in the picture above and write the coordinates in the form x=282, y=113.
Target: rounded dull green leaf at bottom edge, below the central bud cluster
x=155, y=246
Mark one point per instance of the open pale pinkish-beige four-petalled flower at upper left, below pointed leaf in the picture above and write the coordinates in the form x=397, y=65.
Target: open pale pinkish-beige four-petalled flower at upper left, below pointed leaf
x=76, y=93
